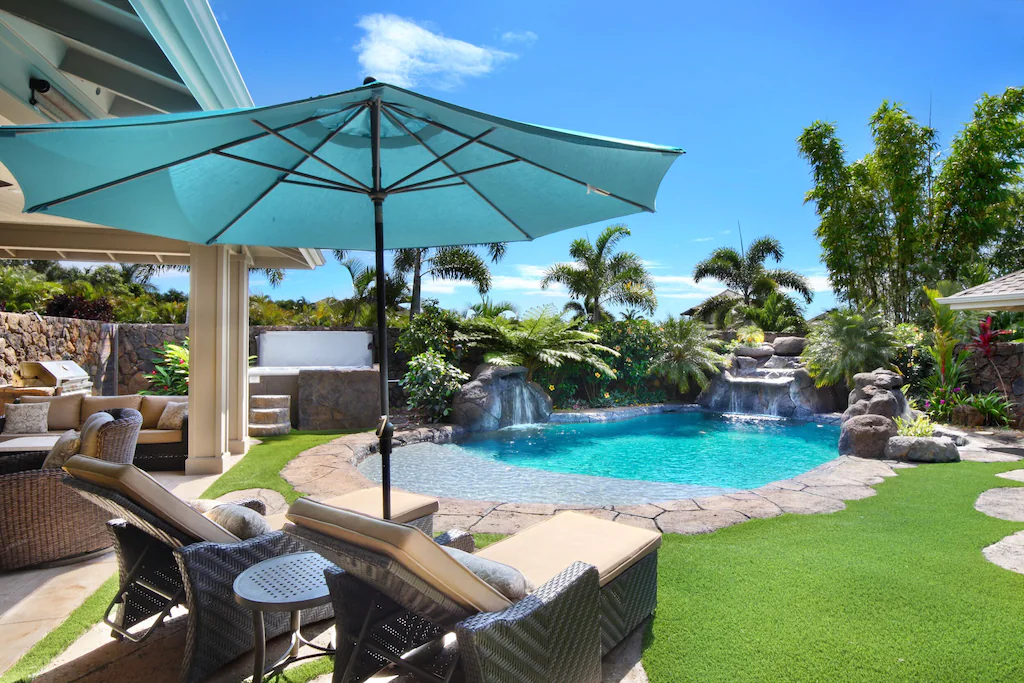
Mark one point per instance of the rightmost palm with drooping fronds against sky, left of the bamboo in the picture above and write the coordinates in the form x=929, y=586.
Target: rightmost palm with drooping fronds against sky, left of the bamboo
x=745, y=274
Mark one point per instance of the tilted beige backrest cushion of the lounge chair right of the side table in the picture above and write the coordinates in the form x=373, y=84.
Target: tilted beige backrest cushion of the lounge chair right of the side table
x=407, y=545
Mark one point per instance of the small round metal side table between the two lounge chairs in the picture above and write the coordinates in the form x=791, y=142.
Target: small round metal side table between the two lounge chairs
x=290, y=583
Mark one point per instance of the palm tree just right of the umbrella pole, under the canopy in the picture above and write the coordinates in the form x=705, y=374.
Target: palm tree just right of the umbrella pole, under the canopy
x=461, y=264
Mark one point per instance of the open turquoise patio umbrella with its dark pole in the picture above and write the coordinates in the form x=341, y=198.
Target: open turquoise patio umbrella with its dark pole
x=326, y=173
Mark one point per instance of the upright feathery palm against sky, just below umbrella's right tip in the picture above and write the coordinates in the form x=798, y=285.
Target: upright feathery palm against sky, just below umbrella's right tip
x=598, y=277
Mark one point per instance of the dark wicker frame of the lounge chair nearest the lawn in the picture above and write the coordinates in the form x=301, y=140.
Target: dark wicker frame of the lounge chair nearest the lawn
x=559, y=633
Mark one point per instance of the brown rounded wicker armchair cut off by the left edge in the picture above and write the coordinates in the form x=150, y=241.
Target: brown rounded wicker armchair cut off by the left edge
x=42, y=521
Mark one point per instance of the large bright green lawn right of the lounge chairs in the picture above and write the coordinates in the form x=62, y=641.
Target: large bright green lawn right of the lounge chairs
x=894, y=588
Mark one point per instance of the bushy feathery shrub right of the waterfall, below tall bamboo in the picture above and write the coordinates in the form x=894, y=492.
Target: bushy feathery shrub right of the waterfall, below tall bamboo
x=845, y=344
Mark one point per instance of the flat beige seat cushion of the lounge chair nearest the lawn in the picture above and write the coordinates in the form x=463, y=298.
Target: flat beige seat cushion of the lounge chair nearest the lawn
x=544, y=550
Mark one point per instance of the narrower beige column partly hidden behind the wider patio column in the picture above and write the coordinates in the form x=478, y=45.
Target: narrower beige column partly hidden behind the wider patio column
x=238, y=389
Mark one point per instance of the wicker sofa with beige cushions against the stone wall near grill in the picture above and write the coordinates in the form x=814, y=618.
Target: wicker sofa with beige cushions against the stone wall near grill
x=157, y=449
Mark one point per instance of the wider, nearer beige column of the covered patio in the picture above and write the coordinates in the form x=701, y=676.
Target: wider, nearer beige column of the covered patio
x=209, y=339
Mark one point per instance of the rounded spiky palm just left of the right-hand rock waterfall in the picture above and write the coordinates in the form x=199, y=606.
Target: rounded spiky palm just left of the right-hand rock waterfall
x=689, y=356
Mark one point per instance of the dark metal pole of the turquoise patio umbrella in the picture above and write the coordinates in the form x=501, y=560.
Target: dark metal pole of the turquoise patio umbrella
x=386, y=429
